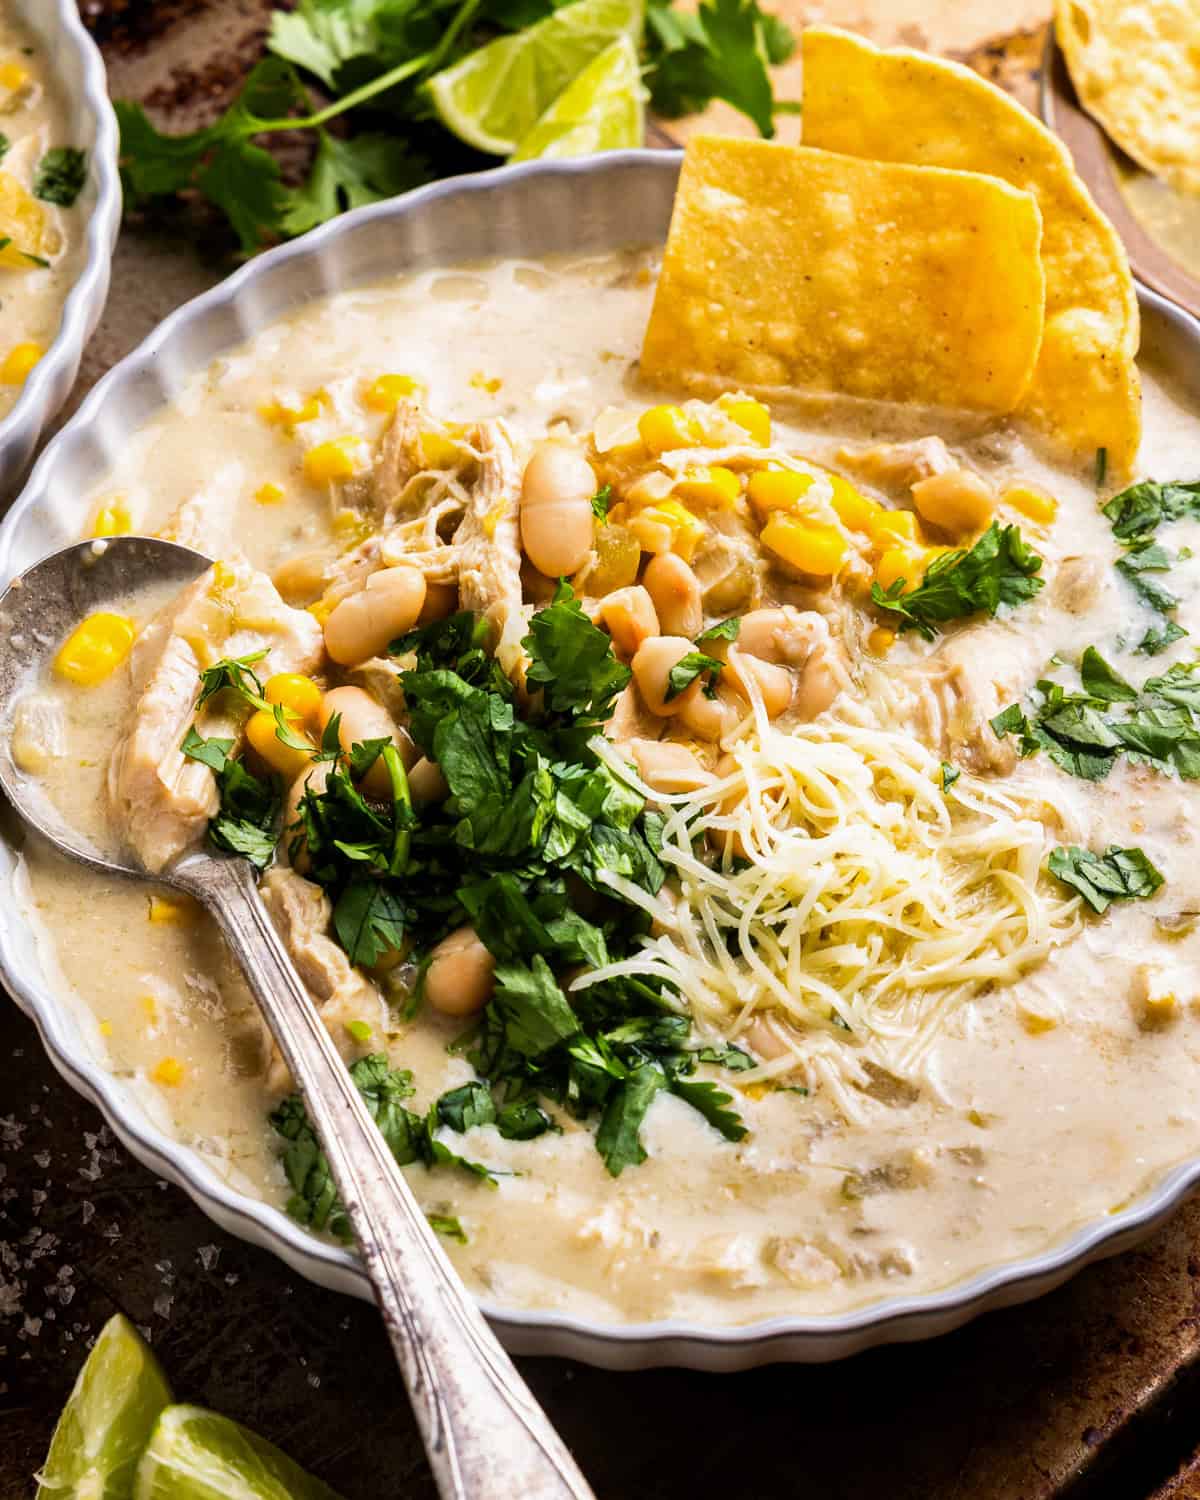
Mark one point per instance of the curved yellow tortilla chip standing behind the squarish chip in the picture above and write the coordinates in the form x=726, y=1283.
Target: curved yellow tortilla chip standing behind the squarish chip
x=908, y=107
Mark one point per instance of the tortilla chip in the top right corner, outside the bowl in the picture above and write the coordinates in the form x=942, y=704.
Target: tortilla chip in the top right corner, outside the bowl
x=1136, y=68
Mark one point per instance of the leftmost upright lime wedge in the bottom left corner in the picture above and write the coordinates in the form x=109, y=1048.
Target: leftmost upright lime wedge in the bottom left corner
x=107, y=1423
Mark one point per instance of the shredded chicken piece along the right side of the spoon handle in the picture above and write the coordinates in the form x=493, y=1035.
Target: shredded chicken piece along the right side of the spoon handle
x=304, y=917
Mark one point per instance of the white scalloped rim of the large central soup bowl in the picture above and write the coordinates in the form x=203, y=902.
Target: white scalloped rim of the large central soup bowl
x=677, y=1340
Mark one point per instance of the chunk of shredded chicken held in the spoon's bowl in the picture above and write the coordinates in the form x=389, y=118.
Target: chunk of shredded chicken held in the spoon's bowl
x=163, y=800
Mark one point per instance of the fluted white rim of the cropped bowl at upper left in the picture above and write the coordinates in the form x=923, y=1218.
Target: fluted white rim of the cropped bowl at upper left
x=49, y=383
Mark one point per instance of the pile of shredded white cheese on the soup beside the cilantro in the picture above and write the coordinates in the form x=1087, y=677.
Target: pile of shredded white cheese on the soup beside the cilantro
x=829, y=892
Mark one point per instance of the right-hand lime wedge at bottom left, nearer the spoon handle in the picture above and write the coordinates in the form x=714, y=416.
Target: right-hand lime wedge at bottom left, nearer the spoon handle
x=199, y=1456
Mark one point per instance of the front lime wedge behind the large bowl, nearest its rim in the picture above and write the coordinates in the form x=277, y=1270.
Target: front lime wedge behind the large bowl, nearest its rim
x=601, y=110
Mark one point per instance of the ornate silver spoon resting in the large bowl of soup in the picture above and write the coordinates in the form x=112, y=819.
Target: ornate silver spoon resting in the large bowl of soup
x=484, y=1432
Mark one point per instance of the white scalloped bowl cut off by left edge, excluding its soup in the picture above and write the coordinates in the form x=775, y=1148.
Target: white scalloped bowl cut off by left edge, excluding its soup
x=79, y=70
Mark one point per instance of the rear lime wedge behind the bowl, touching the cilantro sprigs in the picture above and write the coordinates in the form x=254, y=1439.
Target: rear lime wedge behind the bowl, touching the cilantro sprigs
x=494, y=97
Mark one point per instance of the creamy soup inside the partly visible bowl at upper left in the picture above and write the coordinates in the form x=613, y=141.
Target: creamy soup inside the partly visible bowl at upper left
x=41, y=226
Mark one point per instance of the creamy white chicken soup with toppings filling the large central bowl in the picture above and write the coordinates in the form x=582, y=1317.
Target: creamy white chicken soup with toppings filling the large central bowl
x=866, y=1031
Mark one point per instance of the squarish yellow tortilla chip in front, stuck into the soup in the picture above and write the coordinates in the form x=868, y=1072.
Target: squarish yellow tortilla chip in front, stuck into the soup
x=790, y=268
